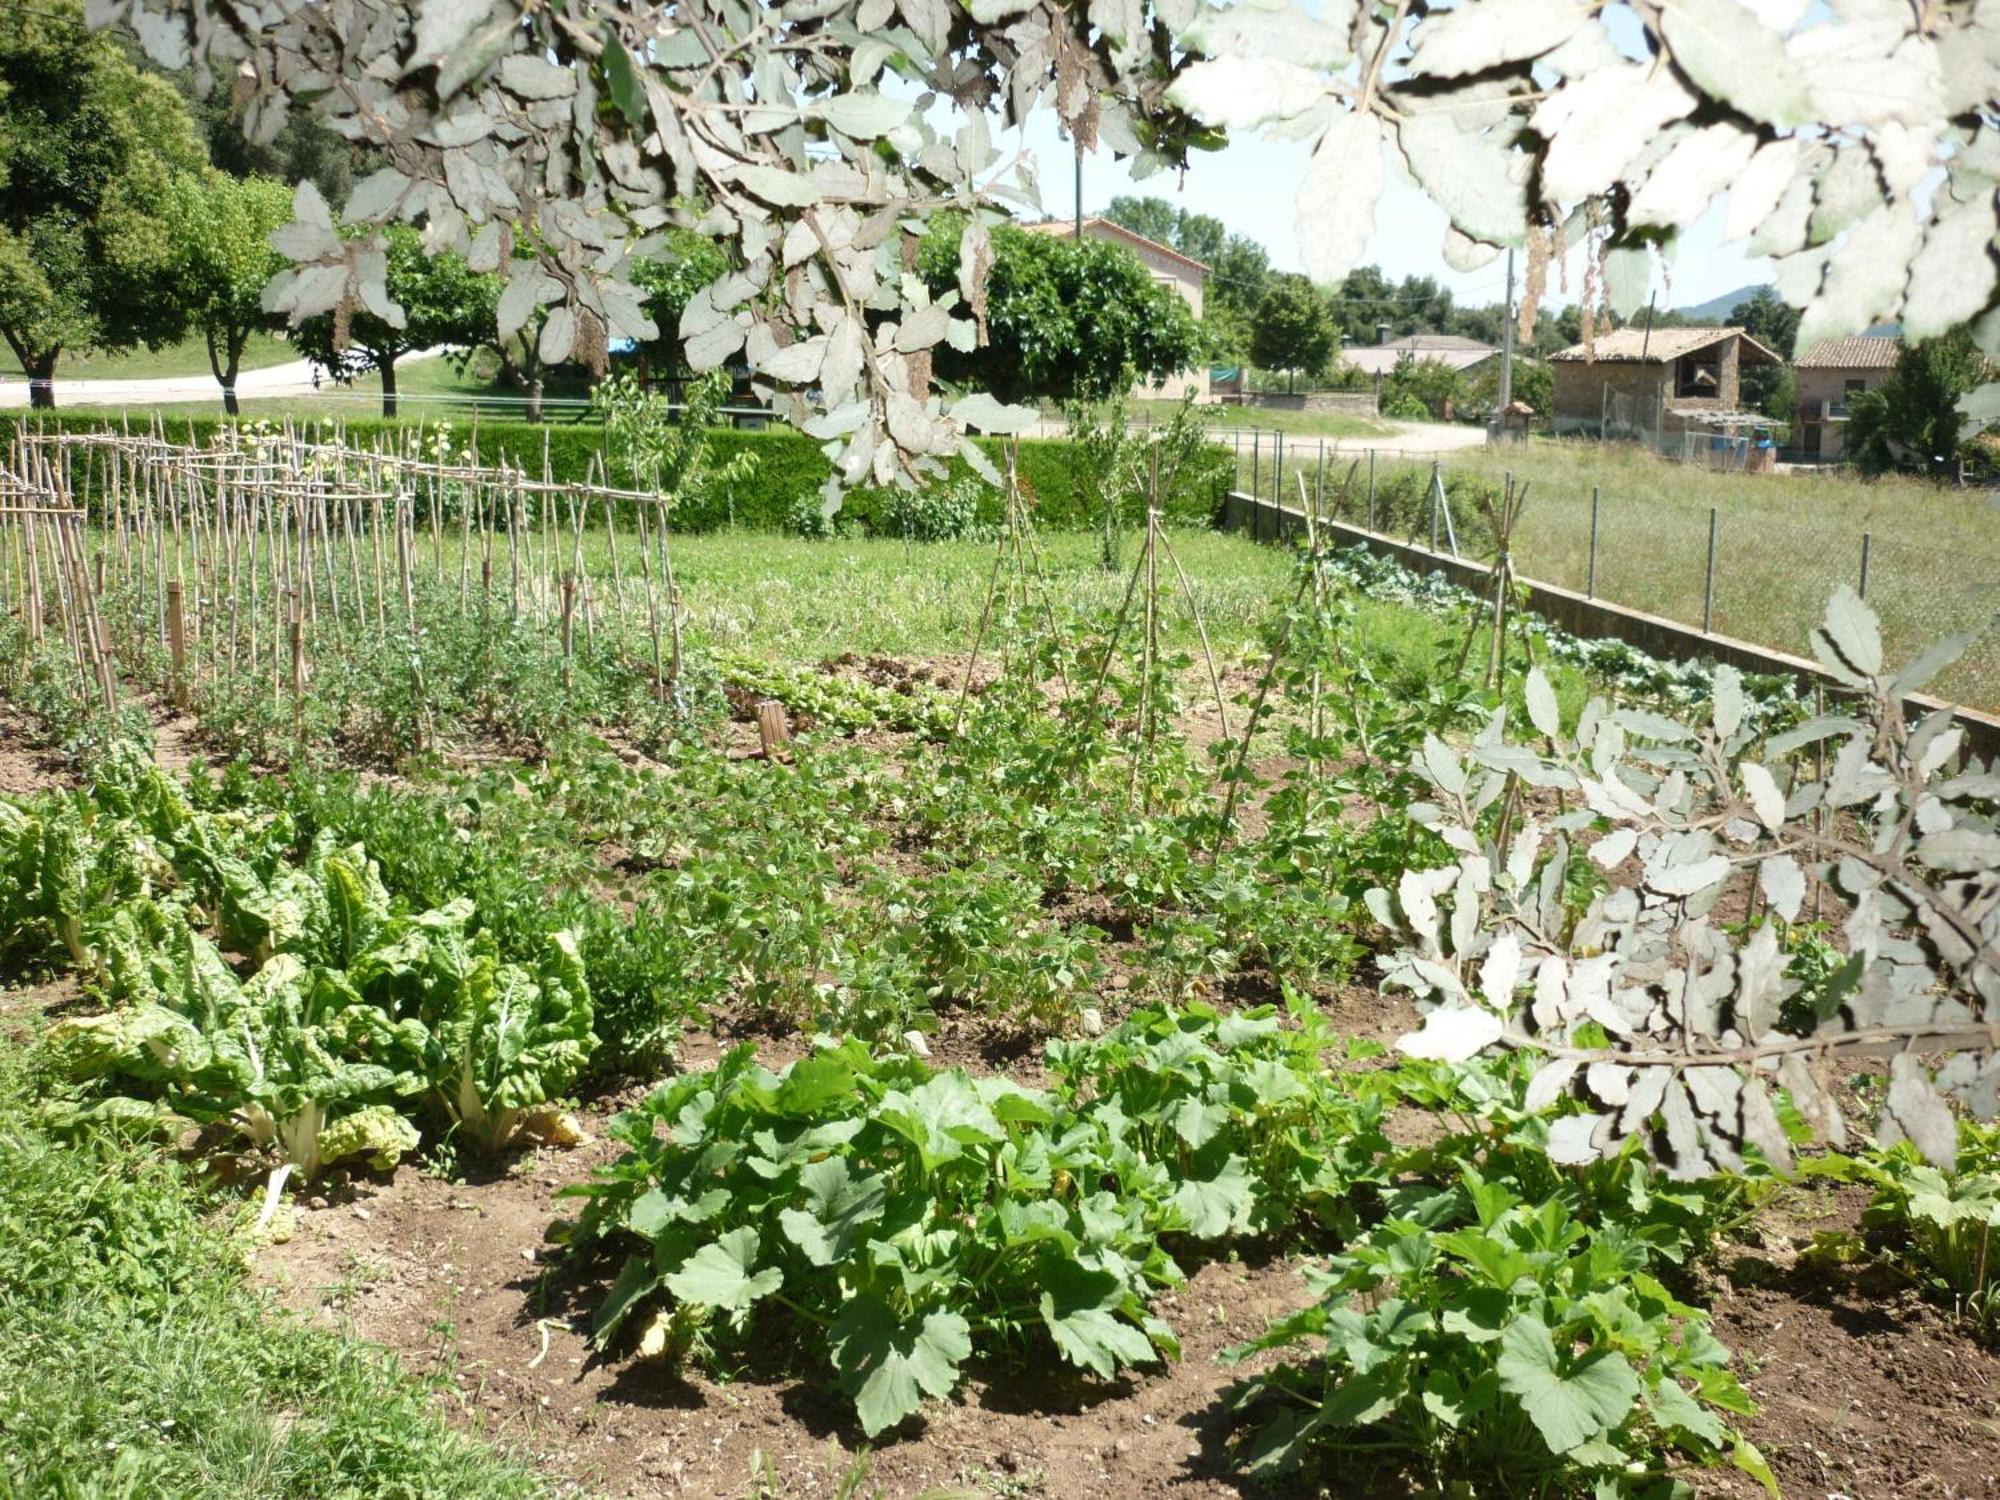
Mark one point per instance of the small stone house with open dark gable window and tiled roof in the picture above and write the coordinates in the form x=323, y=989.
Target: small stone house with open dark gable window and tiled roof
x=1657, y=383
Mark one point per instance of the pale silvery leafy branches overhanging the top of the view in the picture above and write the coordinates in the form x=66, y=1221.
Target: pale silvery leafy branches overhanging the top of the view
x=1851, y=143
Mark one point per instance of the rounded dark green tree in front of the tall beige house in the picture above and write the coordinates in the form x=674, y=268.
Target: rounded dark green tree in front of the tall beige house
x=1063, y=319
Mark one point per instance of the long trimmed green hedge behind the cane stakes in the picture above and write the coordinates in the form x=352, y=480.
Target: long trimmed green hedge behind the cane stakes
x=789, y=467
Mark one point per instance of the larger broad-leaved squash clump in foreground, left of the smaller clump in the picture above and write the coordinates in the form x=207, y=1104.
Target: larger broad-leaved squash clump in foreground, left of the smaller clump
x=923, y=1217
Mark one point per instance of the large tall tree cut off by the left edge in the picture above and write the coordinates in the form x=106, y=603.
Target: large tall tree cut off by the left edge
x=89, y=147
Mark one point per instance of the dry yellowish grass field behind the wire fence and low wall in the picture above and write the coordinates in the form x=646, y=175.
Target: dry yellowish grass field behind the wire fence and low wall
x=1783, y=543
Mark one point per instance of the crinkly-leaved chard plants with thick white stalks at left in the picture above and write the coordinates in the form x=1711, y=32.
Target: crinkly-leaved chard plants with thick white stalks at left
x=353, y=1015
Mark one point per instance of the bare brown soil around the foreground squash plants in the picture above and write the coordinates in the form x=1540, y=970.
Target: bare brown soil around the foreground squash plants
x=1867, y=1393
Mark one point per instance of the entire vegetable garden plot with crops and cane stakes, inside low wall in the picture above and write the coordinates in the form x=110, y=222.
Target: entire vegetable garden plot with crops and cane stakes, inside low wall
x=1149, y=1041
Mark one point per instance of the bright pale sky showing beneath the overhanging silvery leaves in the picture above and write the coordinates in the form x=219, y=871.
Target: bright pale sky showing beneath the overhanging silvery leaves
x=1253, y=185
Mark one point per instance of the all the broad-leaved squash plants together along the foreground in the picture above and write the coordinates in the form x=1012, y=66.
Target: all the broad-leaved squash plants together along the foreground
x=1491, y=1313
